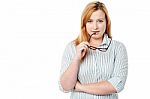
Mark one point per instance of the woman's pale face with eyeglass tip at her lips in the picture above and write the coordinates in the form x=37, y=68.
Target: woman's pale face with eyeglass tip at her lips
x=96, y=24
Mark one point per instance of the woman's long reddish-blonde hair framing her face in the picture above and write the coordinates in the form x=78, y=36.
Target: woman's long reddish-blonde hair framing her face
x=87, y=12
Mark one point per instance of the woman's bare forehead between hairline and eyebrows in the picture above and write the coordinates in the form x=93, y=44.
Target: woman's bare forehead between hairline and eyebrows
x=97, y=14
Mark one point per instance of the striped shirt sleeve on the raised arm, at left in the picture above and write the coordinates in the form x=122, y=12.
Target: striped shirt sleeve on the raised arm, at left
x=66, y=61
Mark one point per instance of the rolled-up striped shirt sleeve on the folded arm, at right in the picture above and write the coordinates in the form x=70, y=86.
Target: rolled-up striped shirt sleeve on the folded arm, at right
x=120, y=72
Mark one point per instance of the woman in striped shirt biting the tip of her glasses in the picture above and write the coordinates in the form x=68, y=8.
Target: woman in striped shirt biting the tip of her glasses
x=94, y=66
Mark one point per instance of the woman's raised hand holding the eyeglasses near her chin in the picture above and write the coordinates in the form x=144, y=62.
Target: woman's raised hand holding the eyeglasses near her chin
x=81, y=50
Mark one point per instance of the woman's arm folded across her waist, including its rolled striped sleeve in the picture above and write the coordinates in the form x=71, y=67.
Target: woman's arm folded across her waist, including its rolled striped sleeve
x=118, y=78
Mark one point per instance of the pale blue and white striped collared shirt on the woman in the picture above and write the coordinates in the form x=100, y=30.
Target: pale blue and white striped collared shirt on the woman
x=111, y=66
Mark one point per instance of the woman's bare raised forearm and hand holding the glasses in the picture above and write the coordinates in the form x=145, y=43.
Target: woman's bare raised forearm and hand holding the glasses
x=69, y=78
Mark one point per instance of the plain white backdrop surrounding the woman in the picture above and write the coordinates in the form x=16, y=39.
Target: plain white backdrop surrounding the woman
x=34, y=33
